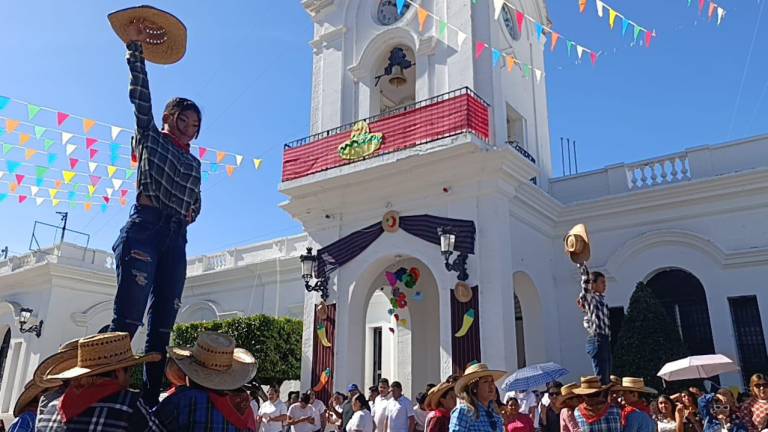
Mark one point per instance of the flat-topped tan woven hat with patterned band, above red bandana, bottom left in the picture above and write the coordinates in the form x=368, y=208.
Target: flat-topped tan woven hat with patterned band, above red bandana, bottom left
x=102, y=353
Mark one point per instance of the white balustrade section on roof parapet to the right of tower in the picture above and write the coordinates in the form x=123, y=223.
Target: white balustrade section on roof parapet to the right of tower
x=666, y=170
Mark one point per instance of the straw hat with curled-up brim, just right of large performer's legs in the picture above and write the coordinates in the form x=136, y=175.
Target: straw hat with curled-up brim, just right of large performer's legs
x=214, y=362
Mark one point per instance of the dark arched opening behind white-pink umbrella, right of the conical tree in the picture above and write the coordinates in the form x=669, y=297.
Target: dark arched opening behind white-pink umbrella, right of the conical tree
x=683, y=297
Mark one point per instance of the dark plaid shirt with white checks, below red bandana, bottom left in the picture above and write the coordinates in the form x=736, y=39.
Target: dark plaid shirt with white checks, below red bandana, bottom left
x=121, y=412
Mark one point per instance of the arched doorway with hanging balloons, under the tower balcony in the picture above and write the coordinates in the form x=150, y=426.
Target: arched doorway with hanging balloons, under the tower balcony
x=403, y=343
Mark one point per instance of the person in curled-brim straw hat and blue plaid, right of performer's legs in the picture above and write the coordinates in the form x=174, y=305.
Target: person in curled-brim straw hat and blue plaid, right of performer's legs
x=213, y=398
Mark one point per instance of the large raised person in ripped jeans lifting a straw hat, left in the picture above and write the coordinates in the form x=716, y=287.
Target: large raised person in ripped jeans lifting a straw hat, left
x=150, y=252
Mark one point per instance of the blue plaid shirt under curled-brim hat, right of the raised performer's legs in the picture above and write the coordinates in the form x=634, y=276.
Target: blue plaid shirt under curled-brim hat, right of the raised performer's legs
x=193, y=411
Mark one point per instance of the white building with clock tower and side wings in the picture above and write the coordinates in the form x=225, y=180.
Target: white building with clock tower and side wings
x=461, y=143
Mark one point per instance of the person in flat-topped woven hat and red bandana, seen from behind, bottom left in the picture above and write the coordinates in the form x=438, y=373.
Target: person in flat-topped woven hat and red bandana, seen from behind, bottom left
x=96, y=395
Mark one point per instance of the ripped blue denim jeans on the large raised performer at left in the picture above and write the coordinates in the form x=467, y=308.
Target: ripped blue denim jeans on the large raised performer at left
x=151, y=264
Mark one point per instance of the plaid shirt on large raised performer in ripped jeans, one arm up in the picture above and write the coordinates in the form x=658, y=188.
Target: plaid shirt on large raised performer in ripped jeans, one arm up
x=168, y=176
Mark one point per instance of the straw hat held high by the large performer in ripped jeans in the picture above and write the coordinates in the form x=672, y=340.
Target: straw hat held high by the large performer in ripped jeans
x=167, y=41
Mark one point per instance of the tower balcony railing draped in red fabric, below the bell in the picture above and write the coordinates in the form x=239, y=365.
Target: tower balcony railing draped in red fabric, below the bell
x=449, y=114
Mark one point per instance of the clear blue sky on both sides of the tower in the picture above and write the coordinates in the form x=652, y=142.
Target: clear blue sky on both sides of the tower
x=248, y=65
